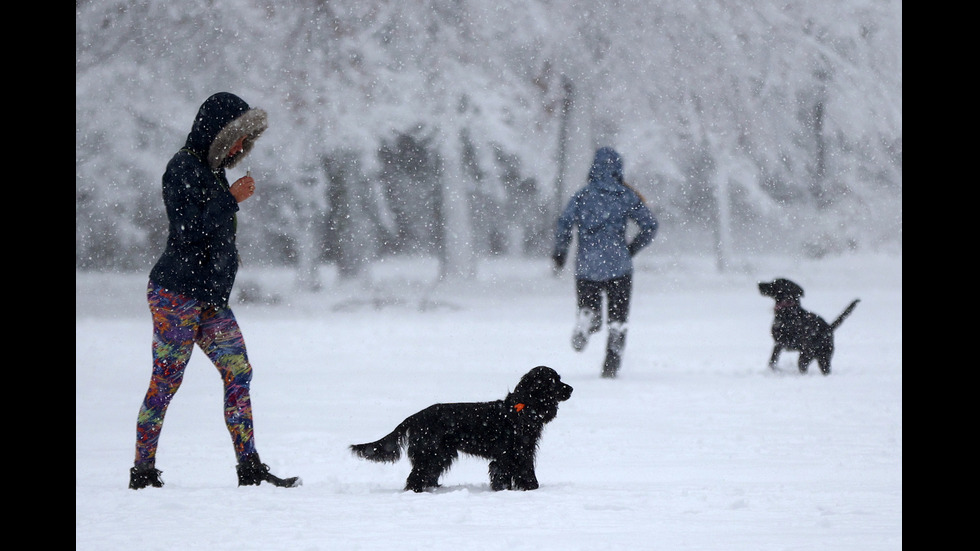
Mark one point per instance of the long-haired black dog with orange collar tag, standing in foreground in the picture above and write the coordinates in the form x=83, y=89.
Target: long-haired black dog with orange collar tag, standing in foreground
x=504, y=431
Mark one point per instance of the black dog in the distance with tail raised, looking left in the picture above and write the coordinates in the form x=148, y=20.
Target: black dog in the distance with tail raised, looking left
x=799, y=330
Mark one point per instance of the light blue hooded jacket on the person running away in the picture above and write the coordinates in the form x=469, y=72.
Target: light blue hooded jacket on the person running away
x=601, y=210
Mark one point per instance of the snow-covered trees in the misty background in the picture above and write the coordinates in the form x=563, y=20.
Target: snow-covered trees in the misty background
x=456, y=129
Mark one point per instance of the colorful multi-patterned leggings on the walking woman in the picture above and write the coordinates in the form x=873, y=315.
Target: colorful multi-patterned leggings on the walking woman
x=179, y=323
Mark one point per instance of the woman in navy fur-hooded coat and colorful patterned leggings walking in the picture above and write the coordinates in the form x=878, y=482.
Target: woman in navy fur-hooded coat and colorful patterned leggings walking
x=190, y=284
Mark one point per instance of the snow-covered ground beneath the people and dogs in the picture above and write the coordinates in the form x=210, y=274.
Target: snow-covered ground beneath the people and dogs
x=697, y=446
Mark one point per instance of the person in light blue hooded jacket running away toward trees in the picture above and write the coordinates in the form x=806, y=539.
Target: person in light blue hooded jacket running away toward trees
x=604, y=256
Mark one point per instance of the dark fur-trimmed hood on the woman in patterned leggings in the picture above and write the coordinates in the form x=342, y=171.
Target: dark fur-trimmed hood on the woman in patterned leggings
x=221, y=120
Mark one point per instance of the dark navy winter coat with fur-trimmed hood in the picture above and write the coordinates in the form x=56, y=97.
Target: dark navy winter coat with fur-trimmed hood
x=201, y=257
